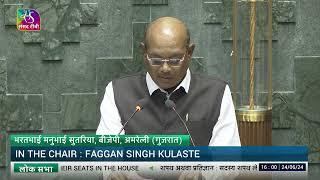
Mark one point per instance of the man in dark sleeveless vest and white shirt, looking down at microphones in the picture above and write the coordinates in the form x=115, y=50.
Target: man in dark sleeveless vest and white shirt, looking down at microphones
x=205, y=103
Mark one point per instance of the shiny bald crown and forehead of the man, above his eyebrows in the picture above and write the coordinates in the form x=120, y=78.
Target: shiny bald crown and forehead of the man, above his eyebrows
x=169, y=29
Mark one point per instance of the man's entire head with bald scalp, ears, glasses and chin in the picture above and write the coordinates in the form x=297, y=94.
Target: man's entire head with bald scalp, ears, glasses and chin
x=167, y=39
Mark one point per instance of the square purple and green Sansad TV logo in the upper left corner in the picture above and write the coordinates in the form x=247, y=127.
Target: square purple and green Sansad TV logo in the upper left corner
x=28, y=20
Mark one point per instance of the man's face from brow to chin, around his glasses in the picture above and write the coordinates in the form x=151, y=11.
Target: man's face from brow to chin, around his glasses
x=166, y=75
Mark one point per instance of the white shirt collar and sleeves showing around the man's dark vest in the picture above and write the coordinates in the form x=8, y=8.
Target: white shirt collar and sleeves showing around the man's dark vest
x=224, y=133
